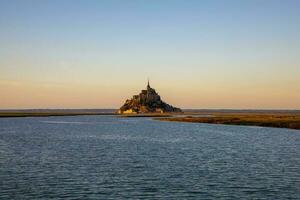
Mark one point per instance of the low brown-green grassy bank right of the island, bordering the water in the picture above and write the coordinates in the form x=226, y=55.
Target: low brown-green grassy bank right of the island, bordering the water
x=291, y=121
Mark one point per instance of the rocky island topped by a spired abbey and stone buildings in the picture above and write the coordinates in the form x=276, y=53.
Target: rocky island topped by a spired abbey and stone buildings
x=148, y=101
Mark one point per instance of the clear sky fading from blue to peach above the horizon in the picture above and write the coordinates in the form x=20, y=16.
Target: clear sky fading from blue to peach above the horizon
x=197, y=54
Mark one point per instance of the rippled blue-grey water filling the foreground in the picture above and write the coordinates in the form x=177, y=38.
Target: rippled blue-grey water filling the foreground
x=107, y=157
